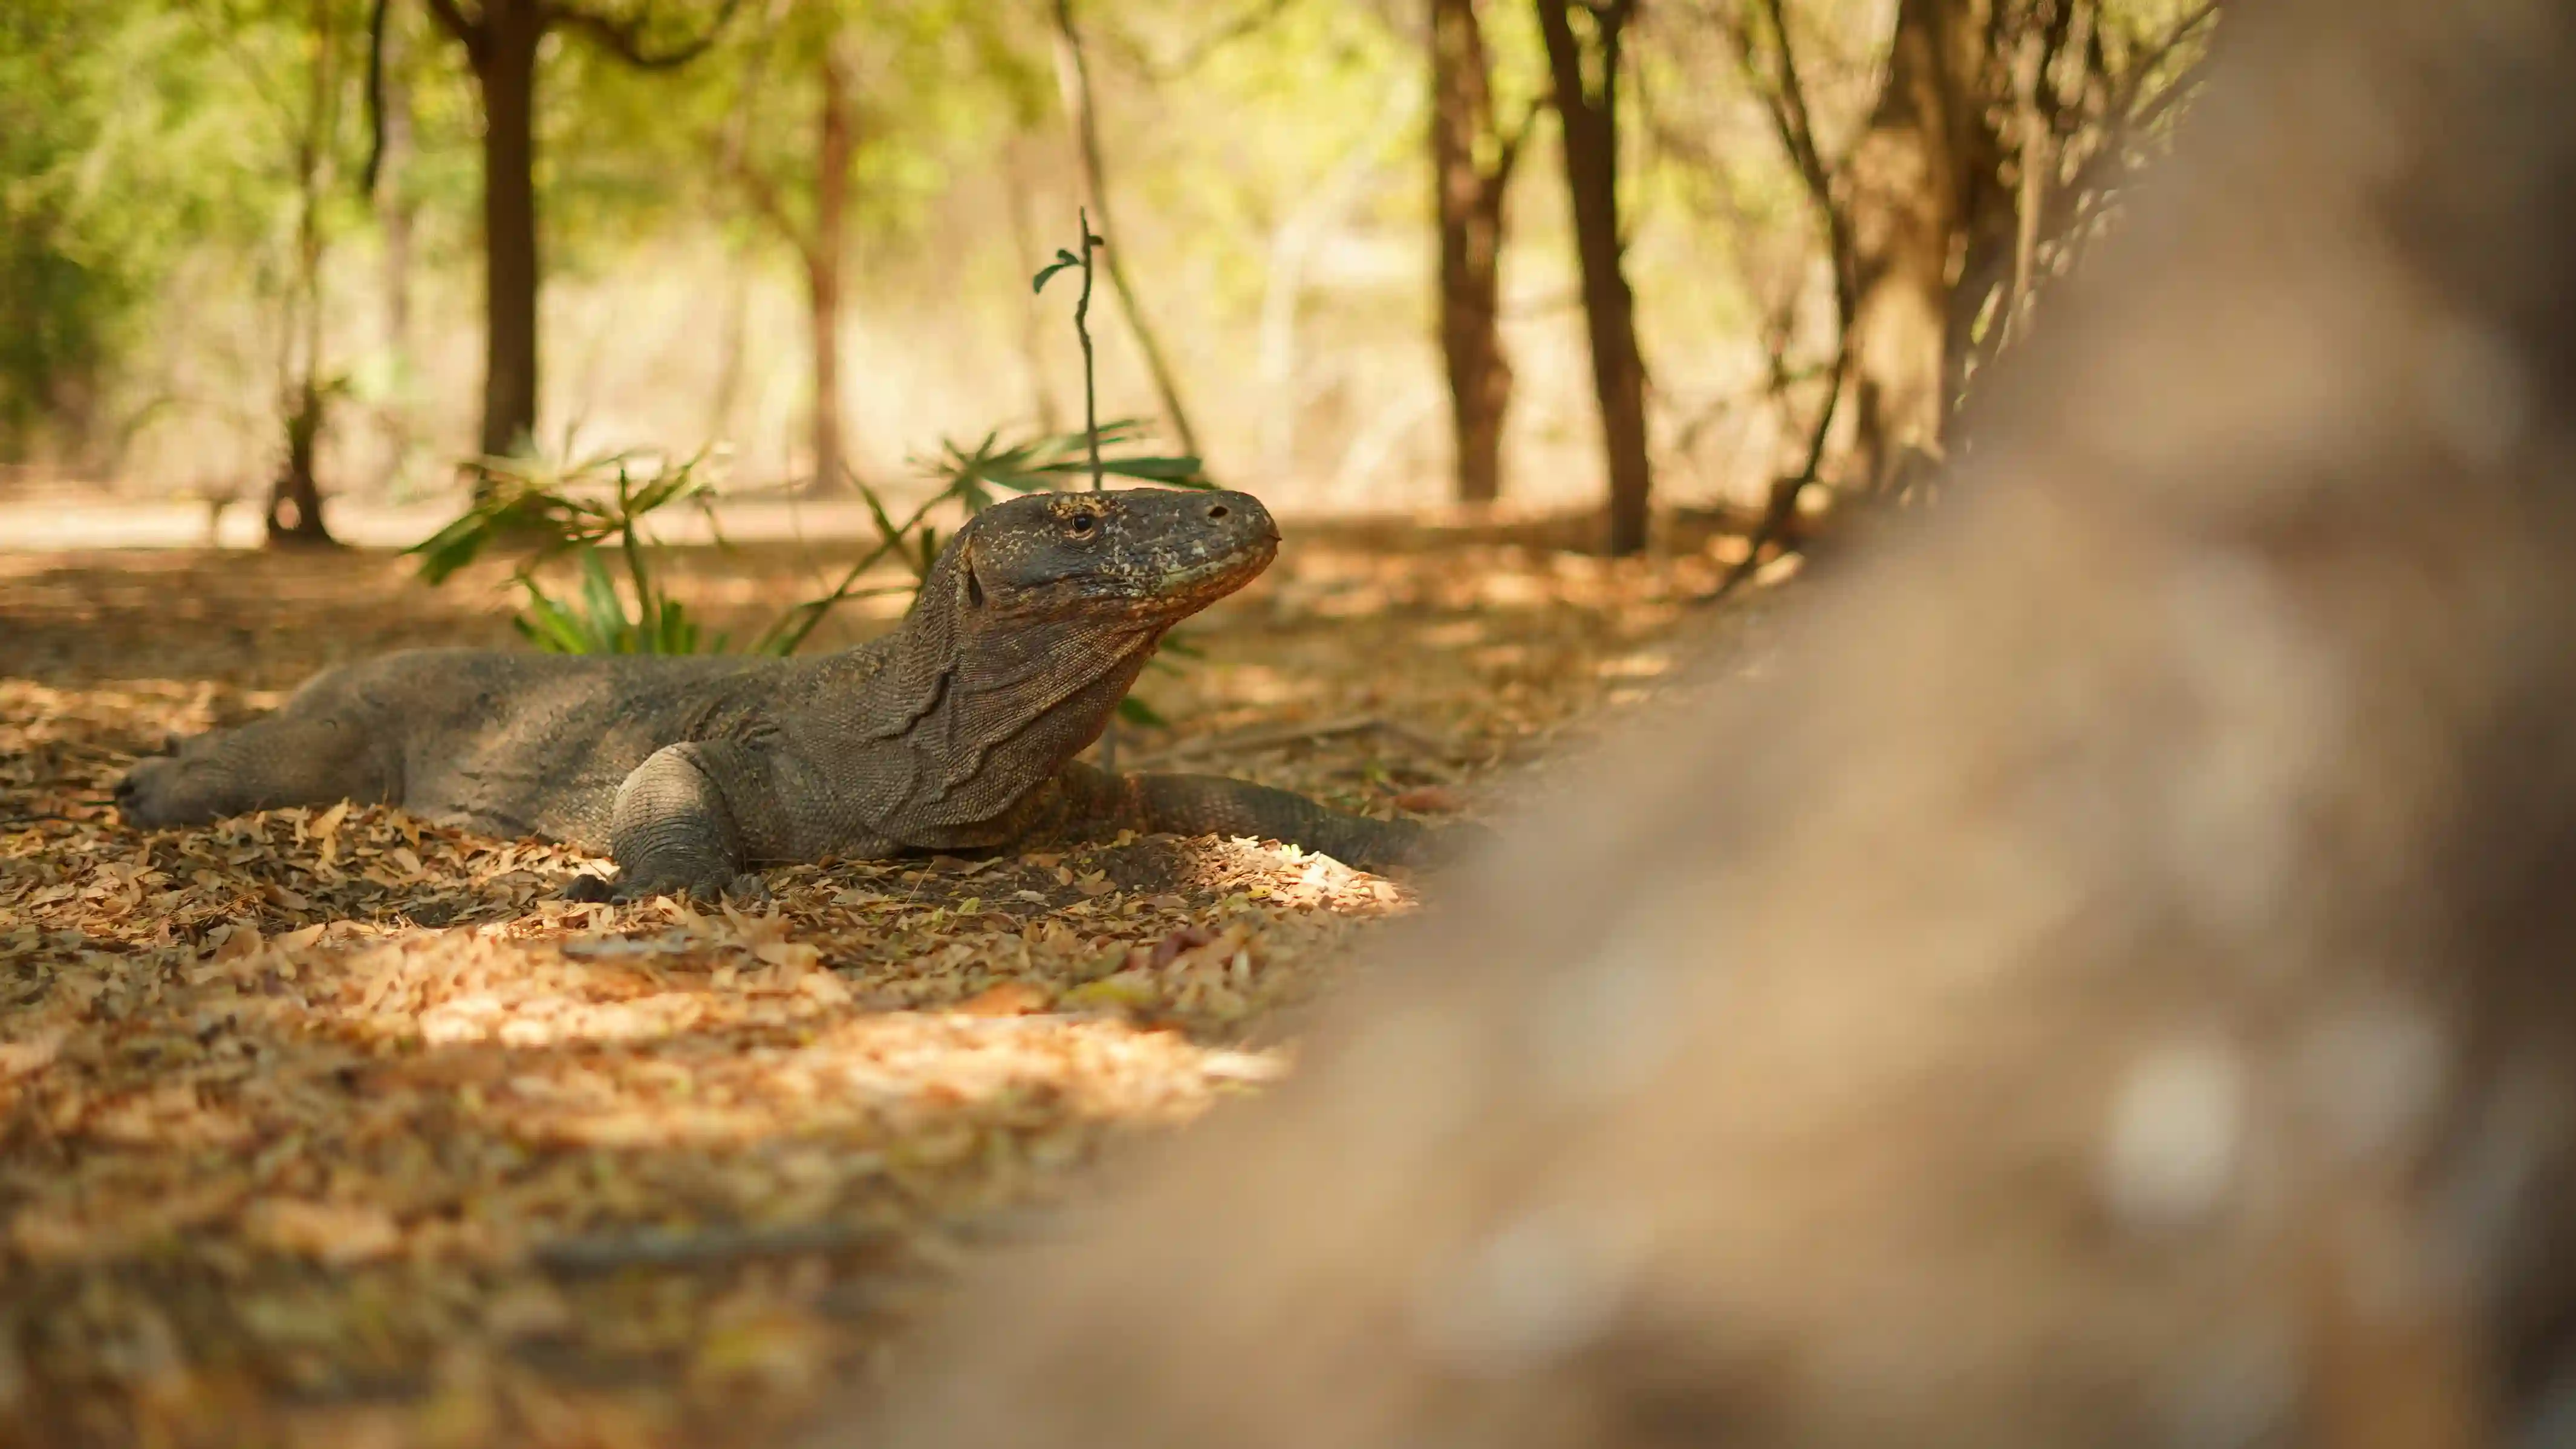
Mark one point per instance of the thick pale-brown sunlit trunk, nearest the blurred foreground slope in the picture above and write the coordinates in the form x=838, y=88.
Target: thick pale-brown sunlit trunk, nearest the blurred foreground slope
x=1913, y=197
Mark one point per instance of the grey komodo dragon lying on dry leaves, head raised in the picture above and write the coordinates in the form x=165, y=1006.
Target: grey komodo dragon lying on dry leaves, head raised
x=952, y=734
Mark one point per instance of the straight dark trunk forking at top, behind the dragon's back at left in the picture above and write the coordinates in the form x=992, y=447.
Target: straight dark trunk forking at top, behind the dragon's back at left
x=506, y=76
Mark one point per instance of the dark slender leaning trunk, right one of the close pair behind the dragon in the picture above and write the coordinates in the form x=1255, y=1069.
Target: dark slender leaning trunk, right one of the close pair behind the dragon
x=1591, y=138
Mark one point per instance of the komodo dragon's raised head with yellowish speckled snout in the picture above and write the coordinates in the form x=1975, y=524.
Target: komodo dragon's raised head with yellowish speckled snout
x=1140, y=556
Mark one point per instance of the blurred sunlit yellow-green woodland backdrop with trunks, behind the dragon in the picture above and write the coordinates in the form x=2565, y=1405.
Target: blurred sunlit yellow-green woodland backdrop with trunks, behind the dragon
x=1349, y=220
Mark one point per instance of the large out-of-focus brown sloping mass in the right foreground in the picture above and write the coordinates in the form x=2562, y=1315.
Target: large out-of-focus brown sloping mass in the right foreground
x=2108, y=989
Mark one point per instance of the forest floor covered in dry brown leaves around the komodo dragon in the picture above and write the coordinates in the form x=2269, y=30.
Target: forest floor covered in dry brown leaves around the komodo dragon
x=334, y=1128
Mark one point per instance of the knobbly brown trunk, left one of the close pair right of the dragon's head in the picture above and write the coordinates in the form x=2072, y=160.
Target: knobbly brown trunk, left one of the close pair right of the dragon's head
x=1470, y=197
